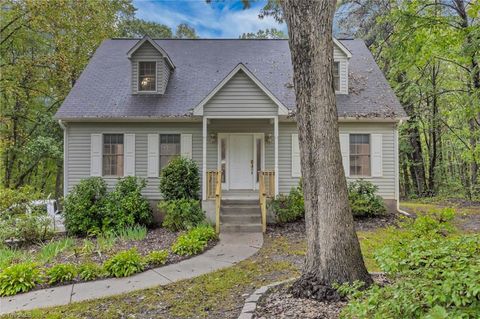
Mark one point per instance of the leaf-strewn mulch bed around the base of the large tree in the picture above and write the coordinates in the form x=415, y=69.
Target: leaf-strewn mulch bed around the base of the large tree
x=279, y=303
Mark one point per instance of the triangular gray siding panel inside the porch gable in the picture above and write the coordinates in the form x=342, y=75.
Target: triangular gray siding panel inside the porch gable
x=240, y=96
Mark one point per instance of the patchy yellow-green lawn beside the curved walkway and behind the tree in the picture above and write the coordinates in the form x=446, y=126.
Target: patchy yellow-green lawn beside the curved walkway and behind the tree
x=221, y=294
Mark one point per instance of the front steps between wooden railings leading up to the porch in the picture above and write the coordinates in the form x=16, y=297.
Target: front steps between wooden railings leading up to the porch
x=240, y=216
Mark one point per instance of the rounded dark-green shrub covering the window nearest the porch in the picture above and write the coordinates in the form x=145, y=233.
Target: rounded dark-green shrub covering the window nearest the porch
x=180, y=179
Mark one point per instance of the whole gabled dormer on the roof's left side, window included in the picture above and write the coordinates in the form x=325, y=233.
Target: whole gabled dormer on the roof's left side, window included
x=151, y=67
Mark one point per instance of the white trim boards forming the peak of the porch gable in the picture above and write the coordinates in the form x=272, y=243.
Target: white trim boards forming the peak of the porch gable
x=282, y=109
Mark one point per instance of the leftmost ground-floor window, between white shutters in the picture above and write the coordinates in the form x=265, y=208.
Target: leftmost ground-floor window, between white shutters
x=113, y=154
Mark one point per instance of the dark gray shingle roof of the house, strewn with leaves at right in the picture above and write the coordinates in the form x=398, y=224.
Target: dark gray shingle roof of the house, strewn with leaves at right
x=104, y=88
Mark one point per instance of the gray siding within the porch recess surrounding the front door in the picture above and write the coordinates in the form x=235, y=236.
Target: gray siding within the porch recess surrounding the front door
x=239, y=126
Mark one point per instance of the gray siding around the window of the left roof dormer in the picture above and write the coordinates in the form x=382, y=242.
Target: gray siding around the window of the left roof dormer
x=148, y=53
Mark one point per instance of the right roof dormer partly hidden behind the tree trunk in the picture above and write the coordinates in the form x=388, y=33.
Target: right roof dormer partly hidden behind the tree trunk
x=341, y=56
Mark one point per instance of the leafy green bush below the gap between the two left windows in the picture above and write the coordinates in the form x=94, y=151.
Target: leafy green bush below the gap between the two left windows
x=125, y=206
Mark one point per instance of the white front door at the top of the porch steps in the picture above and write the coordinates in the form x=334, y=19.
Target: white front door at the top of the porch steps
x=241, y=161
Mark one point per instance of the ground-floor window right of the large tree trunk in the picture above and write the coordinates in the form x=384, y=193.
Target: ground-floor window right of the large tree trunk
x=359, y=154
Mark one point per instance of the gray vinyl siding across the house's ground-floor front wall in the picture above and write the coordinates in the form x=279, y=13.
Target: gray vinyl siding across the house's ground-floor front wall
x=78, y=148
